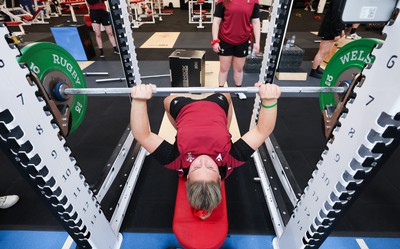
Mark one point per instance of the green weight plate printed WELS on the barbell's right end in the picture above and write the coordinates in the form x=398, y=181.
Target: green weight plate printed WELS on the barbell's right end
x=346, y=62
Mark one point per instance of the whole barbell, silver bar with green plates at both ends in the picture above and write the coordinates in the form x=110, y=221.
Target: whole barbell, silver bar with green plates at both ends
x=63, y=81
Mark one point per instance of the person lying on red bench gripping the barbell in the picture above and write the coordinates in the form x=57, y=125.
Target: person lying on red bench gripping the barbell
x=203, y=150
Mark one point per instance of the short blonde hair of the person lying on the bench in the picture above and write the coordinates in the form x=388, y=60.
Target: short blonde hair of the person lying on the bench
x=204, y=195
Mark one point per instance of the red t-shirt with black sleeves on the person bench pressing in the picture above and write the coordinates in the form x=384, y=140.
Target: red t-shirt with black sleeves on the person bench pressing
x=202, y=130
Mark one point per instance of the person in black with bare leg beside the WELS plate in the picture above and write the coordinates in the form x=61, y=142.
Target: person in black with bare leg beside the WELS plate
x=330, y=31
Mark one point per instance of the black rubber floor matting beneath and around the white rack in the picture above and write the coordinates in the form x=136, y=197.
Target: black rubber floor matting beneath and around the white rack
x=298, y=133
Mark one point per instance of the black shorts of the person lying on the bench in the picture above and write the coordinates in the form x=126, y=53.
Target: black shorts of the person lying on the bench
x=179, y=102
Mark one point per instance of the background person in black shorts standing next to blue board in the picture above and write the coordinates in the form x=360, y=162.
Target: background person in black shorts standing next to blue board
x=100, y=16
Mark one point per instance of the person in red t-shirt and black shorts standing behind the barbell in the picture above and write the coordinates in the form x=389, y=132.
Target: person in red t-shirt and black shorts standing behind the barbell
x=233, y=22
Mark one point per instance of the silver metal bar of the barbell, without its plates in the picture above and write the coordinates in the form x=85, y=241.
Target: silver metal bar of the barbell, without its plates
x=125, y=91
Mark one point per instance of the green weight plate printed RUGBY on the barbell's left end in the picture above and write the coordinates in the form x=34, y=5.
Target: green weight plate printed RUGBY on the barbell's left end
x=52, y=63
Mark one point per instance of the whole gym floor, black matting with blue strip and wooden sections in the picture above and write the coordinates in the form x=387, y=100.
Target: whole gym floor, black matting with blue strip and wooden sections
x=370, y=222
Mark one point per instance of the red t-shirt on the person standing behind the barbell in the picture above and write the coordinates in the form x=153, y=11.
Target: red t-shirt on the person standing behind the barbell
x=235, y=27
